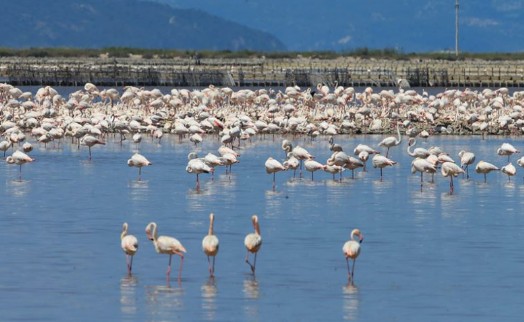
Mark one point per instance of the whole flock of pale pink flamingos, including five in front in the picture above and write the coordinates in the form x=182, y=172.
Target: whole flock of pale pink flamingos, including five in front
x=89, y=116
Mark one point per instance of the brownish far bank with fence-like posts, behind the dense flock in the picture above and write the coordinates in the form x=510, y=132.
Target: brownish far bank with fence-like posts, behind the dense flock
x=260, y=72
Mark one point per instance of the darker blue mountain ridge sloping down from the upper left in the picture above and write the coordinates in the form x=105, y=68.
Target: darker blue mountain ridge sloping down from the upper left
x=124, y=23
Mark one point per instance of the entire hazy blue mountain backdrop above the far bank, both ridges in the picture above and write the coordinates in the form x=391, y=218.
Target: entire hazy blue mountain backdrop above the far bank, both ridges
x=268, y=25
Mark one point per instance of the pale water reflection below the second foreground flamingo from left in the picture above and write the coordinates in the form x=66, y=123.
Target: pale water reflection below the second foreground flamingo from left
x=163, y=300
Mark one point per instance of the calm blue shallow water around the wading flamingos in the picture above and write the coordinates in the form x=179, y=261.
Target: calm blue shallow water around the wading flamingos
x=427, y=255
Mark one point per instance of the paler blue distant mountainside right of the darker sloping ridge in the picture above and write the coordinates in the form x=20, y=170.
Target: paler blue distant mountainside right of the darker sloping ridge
x=404, y=25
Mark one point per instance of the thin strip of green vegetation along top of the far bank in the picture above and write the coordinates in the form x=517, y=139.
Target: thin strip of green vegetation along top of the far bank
x=387, y=53
